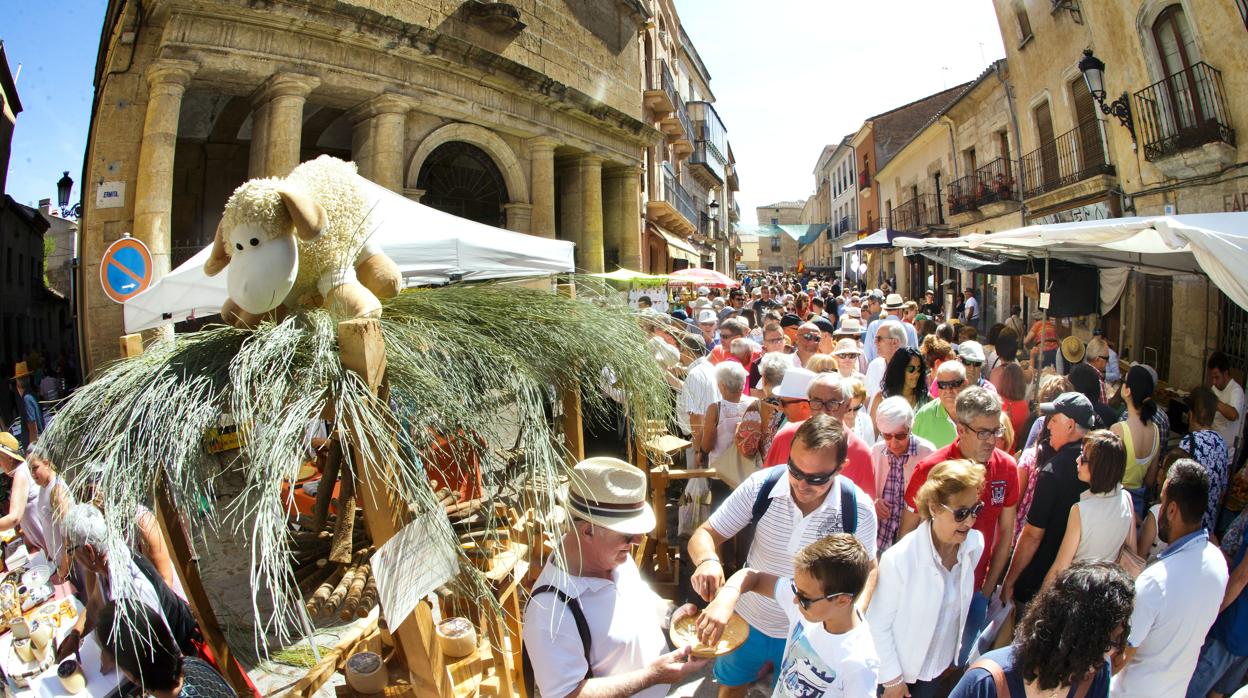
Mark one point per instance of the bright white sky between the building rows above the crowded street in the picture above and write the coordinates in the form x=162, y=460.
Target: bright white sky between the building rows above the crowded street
x=803, y=74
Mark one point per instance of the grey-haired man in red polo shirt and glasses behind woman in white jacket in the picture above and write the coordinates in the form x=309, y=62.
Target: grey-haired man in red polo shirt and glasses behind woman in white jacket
x=979, y=426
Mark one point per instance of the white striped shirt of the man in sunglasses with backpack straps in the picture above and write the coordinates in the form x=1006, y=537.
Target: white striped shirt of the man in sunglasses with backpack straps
x=782, y=534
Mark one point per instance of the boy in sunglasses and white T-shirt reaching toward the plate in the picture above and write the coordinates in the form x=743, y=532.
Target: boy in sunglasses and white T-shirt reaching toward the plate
x=829, y=649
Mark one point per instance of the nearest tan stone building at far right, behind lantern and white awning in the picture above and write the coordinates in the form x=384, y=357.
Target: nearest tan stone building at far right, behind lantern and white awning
x=1182, y=69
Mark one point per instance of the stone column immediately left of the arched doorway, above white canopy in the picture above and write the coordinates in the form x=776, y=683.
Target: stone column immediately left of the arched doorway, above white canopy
x=380, y=140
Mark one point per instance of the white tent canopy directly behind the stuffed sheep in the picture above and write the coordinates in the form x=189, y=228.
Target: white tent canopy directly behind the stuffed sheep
x=429, y=247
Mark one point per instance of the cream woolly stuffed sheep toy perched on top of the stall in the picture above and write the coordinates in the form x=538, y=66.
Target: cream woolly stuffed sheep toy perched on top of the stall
x=301, y=242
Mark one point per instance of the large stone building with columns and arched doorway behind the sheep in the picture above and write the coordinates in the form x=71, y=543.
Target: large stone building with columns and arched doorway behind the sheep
x=536, y=117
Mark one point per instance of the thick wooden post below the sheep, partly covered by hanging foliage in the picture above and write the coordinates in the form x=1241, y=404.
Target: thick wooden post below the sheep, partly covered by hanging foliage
x=364, y=351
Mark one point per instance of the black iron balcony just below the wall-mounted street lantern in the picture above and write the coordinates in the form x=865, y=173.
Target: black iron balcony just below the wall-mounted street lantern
x=1069, y=159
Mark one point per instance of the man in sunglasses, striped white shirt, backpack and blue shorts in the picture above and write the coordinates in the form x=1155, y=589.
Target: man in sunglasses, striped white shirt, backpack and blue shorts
x=789, y=506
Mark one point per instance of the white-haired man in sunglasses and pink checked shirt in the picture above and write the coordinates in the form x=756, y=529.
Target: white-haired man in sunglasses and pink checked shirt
x=894, y=459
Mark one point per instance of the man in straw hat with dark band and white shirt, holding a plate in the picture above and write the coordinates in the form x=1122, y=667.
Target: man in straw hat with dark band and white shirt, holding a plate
x=593, y=627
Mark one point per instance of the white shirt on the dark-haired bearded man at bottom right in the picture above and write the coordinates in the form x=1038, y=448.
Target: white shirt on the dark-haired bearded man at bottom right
x=1177, y=601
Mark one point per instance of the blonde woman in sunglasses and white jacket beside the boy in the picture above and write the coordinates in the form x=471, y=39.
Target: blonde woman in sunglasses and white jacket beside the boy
x=927, y=582
